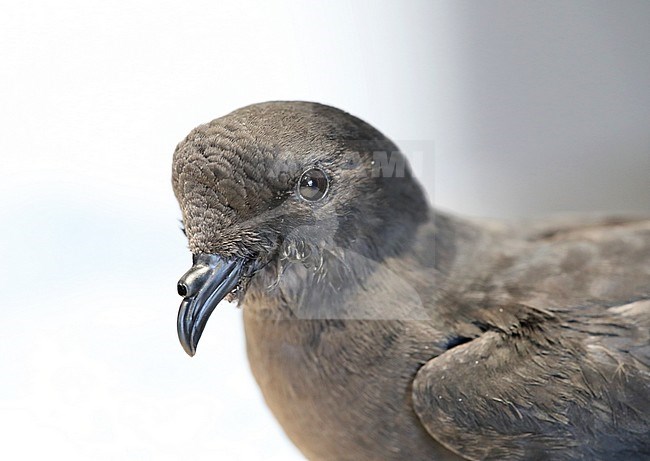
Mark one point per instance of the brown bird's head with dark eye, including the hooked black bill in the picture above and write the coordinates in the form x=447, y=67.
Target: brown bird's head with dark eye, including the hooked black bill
x=283, y=181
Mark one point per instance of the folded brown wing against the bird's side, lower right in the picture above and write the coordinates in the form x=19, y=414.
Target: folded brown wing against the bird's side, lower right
x=544, y=389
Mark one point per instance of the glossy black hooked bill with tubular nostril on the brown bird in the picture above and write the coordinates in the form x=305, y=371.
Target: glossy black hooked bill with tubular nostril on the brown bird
x=209, y=280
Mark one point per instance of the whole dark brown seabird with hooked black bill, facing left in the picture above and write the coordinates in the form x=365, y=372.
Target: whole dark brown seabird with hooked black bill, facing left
x=380, y=328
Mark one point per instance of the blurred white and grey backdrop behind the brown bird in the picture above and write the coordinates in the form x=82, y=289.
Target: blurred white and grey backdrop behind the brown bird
x=531, y=108
